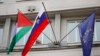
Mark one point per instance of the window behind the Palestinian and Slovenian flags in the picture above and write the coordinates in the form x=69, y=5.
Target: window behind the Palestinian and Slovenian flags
x=42, y=39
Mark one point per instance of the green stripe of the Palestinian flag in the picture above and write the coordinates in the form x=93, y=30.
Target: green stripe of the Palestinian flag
x=17, y=37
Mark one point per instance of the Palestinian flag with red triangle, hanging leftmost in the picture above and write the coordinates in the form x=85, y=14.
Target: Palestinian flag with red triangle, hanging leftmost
x=23, y=26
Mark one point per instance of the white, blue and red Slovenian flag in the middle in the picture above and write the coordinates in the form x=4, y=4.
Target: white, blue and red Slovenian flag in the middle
x=39, y=25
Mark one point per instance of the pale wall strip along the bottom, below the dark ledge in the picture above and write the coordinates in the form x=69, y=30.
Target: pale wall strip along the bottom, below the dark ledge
x=65, y=52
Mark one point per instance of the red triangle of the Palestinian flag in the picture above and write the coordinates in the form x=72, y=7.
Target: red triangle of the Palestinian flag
x=22, y=21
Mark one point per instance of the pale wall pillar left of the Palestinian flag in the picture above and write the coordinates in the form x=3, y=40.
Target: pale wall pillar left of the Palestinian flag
x=6, y=34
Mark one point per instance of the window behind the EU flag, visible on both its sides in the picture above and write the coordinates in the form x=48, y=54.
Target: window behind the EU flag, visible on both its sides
x=74, y=37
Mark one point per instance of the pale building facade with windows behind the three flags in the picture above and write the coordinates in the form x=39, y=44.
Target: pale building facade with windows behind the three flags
x=64, y=15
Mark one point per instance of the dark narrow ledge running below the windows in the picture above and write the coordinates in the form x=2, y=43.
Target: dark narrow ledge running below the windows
x=51, y=48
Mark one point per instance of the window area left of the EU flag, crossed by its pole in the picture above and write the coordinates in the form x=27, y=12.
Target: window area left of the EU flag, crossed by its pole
x=74, y=35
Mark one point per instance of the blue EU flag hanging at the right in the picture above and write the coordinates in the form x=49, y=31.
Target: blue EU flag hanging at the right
x=86, y=29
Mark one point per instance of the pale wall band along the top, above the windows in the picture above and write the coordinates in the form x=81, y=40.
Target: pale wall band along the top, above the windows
x=51, y=5
